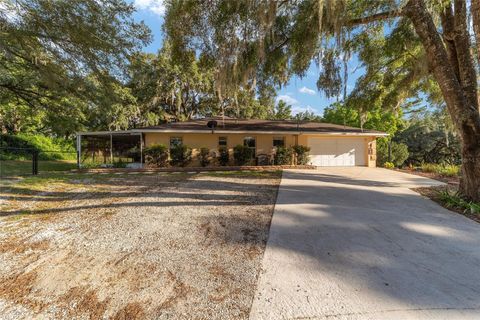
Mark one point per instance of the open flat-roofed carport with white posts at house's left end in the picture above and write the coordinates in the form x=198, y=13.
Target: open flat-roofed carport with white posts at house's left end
x=110, y=148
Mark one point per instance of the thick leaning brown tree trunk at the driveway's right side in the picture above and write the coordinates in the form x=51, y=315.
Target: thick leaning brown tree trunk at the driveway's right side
x=459, y=90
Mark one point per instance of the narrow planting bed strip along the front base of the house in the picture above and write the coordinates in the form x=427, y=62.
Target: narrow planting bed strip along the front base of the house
x=201, y=169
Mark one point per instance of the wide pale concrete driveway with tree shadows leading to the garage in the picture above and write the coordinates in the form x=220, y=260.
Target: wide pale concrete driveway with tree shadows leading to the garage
x=357, y=243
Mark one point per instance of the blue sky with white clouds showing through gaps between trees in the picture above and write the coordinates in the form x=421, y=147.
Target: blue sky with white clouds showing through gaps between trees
x=300, y=93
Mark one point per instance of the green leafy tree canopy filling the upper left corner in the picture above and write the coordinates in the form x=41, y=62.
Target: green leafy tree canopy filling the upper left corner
x=49, y=53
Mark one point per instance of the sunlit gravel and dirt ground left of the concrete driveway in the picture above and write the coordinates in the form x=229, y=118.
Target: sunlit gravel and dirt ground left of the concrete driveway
x=133, y=246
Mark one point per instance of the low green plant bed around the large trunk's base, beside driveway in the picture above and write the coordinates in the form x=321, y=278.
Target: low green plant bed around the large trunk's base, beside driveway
x=449, y=198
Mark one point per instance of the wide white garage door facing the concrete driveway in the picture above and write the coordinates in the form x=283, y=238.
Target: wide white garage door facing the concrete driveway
x=334, y=152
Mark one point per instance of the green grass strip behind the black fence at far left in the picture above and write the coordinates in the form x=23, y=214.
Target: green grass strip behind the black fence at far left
x=24, y=167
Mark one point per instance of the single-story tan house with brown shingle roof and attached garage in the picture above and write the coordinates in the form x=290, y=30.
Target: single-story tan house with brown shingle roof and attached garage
x=330, y=144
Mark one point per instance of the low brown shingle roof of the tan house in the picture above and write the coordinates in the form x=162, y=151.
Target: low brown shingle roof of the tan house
x=231, y=124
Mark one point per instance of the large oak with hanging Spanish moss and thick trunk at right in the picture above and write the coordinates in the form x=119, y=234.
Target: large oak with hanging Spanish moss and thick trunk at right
x=270, y=40
